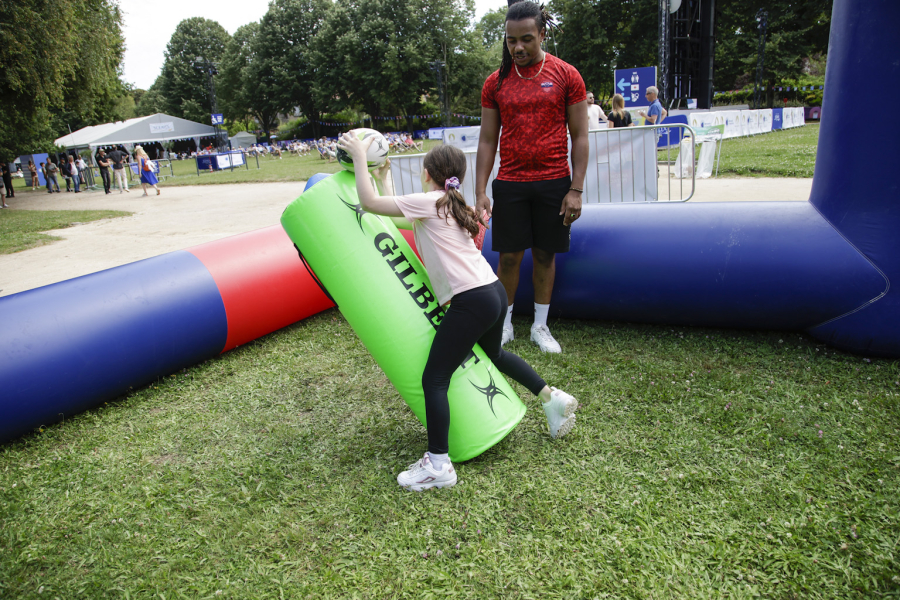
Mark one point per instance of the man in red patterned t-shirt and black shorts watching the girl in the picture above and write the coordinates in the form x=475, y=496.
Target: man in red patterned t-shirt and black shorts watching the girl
x=534, y=96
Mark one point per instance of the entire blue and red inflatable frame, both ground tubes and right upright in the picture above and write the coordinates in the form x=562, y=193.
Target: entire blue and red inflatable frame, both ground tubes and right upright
x=824, y=267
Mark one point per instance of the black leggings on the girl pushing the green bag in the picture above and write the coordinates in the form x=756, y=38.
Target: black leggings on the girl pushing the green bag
x=474, y=316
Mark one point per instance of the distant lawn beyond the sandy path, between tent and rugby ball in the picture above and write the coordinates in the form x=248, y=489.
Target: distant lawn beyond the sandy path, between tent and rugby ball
x=289, y=168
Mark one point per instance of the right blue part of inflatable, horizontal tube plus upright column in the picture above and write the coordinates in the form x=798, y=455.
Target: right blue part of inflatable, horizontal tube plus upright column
x=822, y=266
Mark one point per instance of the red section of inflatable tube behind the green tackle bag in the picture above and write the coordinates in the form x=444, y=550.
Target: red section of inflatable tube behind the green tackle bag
x=263, y=283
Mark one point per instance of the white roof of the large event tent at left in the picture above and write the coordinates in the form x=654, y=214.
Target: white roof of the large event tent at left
x=155, y=128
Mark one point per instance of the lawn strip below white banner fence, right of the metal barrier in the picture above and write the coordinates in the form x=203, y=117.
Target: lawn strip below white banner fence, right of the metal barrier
x=782, y=153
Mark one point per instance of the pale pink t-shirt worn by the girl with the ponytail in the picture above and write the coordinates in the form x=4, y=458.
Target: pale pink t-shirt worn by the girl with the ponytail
x=454, y=263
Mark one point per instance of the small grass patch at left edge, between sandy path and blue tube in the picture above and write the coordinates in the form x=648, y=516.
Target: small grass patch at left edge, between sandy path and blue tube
x=21, y=229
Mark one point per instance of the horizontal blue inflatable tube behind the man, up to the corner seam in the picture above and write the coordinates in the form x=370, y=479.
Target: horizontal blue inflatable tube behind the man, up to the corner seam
x=774, y=265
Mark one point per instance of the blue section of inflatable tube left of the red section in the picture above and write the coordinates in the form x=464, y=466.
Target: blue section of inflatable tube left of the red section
x=70, y=345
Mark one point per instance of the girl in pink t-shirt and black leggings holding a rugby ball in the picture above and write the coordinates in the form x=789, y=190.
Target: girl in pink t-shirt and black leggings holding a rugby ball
x=444, y=228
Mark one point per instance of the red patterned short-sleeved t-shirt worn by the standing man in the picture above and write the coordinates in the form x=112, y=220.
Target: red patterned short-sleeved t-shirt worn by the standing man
x=534, y=144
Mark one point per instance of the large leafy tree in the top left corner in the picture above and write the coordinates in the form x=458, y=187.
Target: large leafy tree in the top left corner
x=75, y=67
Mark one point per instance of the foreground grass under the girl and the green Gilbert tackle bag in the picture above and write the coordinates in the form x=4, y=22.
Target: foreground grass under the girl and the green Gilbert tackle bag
x=705, y=464
